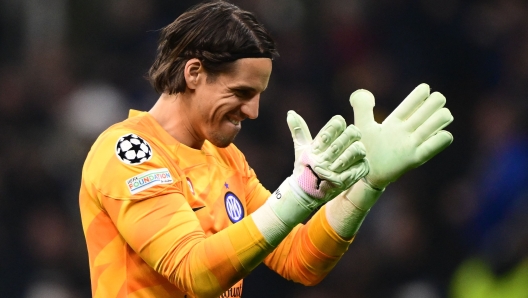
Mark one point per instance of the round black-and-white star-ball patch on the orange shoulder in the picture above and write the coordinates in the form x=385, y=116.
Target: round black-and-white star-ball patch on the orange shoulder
x=133, y=150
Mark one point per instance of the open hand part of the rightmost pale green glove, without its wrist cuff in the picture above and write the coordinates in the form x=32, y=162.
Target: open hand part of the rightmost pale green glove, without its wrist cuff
x=409, y=136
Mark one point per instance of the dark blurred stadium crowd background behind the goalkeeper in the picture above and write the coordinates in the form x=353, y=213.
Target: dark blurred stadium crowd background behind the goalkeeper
x=455, y=227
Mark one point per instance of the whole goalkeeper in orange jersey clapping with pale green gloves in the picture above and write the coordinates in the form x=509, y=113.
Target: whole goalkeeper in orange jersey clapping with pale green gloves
x=170, y=207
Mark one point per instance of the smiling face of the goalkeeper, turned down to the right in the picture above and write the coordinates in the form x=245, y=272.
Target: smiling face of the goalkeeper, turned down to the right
x=218, y=107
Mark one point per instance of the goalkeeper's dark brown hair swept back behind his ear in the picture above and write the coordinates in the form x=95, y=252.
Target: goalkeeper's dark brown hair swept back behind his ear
x=217, y=33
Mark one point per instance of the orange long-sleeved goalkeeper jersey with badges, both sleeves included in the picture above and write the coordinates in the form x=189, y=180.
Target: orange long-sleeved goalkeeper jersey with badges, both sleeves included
x=165, y=220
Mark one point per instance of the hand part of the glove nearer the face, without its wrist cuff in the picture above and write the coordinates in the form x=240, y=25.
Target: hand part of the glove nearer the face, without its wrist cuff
x=334, y=160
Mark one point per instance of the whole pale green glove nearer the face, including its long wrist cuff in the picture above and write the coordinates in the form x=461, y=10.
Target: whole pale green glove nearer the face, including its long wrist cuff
x=323, y=168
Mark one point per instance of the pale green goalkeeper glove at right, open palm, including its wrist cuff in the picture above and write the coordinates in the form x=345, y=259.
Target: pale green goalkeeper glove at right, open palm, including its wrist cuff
x=411, y=135
